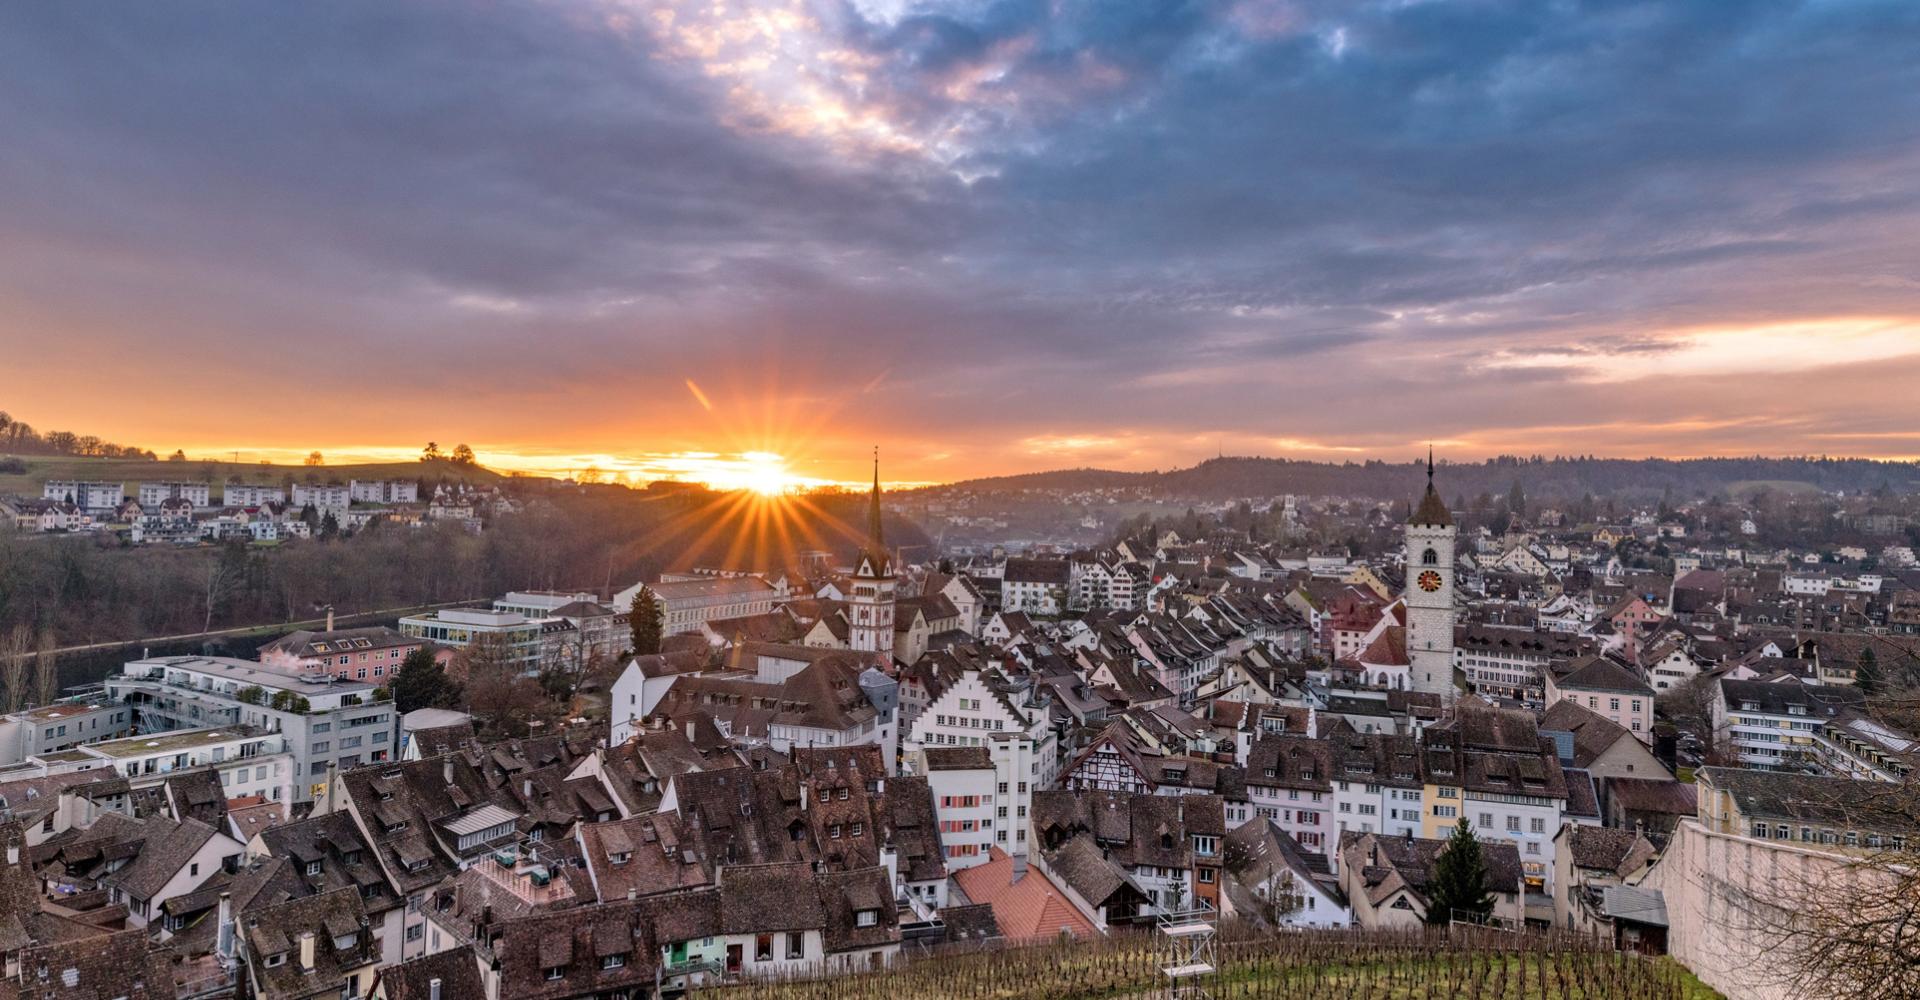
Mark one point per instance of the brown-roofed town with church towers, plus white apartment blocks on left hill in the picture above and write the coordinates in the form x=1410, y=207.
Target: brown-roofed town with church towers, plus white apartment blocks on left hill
x=834, y=765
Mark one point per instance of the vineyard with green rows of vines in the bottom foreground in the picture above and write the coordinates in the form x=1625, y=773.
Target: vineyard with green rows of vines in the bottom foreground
x=1295, y=966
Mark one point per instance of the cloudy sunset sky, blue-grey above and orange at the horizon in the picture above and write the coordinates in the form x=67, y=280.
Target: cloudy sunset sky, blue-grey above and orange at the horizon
x=990, y=237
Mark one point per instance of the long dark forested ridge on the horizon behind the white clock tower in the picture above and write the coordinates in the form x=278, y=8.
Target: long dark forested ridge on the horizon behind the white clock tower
x=1543, y=479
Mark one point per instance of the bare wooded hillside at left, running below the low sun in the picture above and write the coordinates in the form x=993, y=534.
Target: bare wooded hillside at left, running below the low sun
x=594, y=538
